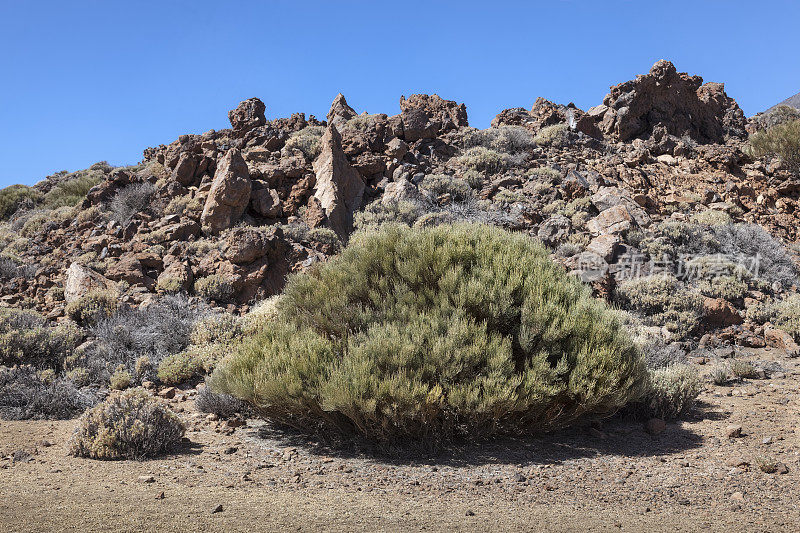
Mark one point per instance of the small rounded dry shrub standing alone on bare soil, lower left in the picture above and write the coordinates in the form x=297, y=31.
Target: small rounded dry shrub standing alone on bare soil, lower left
x=128, y=425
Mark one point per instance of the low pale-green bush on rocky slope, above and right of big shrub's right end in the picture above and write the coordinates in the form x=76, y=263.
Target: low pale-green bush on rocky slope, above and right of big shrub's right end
x=663, y=301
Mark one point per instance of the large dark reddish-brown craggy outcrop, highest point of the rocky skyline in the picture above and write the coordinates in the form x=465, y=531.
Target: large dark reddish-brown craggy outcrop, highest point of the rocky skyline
x=678, y=102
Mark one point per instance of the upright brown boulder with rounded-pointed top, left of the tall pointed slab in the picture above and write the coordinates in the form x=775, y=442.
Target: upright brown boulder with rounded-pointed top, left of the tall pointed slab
x=229, y=194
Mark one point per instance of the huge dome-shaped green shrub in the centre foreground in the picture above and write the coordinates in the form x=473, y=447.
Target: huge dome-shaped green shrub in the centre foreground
x=452, y=330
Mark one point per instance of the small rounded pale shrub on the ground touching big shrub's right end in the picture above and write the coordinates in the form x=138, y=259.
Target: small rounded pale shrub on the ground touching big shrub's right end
x=673, y=391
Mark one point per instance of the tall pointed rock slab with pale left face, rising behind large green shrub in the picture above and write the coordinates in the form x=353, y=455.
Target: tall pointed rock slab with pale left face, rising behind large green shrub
x=339, y=187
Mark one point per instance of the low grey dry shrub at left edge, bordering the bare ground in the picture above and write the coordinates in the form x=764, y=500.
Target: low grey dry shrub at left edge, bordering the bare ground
x=25, y=395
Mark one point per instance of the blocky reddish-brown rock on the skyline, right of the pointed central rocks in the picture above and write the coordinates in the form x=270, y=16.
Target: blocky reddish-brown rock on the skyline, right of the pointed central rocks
x=426, y=115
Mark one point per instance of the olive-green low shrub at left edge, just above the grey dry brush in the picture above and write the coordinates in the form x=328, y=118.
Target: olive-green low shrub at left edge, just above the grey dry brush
x=26, y=338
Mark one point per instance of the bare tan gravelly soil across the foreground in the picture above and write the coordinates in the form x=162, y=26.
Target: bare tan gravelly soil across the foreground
x=617, y=477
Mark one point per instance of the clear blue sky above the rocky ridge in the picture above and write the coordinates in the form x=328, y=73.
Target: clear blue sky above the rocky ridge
x=84, y=81
